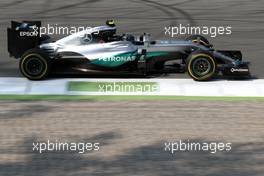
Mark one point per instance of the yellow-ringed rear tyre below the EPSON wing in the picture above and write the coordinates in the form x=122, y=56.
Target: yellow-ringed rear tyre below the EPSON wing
x=35, y=64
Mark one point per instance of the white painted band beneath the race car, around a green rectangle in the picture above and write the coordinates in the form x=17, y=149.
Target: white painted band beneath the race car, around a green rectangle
x=178, y=87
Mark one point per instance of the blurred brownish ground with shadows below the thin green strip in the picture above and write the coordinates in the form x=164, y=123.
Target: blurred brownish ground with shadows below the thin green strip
x=131, y=141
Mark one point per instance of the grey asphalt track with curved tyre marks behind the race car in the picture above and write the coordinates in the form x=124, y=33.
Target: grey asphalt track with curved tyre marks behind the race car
x=138, y=16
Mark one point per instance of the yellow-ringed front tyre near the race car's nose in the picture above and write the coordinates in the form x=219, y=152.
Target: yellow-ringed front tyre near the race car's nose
x=201, y=66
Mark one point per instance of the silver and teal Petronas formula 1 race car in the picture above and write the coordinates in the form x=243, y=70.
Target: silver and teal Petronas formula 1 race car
x=100, y=49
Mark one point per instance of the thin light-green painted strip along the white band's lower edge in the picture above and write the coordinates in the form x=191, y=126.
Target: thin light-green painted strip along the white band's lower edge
x=123, y=97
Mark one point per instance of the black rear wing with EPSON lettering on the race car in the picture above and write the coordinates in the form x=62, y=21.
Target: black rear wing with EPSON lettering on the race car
x=22, y=36
